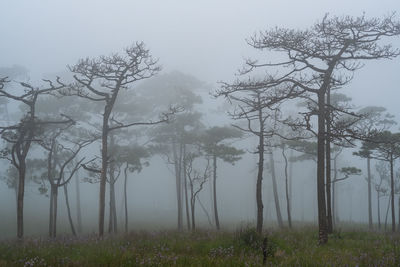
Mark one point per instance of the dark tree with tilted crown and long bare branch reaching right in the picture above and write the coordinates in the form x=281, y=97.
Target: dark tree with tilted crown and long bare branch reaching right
x=101, y=80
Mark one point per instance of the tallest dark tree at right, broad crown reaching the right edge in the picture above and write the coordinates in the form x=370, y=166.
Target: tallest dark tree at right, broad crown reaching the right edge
x=323, y=56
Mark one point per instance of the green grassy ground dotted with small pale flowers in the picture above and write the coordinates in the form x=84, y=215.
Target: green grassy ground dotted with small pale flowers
x=207, y=248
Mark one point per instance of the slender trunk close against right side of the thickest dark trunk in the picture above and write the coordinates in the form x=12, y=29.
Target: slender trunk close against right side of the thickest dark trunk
x=328, y=166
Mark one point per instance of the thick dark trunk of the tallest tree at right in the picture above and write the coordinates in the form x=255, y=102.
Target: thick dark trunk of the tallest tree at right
x=322, y=221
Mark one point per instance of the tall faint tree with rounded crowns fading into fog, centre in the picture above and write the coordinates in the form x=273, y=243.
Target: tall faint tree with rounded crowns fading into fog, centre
x=171, y=141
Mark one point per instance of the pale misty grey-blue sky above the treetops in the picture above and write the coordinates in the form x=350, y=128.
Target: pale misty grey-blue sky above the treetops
x=204, y=38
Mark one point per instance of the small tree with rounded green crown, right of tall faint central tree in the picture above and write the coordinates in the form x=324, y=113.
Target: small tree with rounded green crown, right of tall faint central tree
x=214, y=144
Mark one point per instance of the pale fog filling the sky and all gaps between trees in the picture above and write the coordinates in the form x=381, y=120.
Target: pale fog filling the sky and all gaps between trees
x=204, y=42
